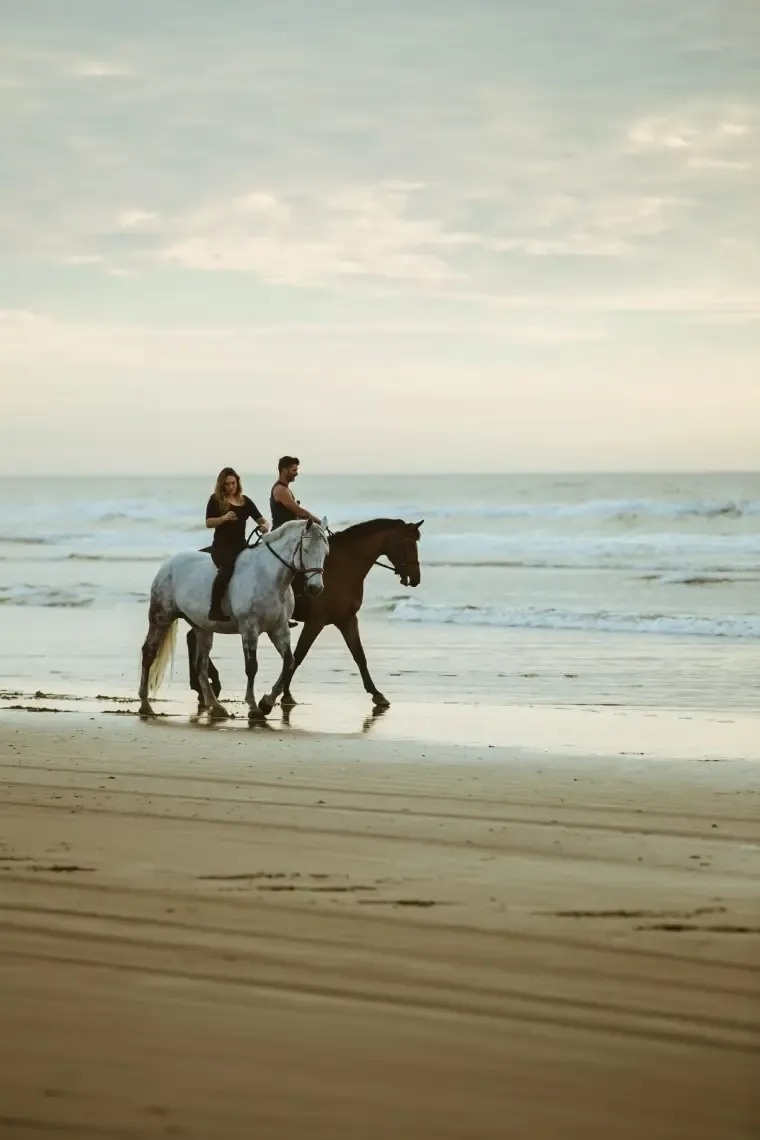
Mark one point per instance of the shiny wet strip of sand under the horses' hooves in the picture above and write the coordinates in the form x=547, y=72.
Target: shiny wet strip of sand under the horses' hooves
x=612, y=731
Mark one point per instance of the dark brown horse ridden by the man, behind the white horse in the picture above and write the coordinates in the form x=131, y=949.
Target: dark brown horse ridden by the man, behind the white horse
x=353, y=555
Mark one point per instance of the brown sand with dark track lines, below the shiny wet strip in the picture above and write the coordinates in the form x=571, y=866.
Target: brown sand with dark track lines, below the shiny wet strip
x=232, y=934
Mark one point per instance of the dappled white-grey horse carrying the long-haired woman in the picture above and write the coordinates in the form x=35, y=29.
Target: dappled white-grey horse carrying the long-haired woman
x=260, y=600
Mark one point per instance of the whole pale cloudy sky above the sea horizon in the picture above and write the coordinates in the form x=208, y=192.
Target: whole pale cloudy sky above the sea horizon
x=420, y=237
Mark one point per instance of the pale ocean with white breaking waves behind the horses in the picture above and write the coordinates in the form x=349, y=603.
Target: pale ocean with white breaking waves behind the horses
x=619, y=591
